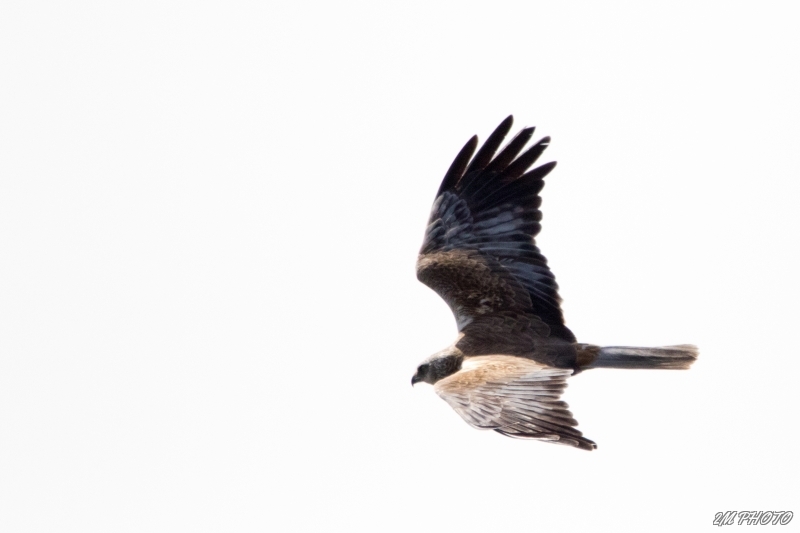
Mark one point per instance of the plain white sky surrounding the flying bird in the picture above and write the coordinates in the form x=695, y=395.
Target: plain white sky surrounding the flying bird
x=209, y=218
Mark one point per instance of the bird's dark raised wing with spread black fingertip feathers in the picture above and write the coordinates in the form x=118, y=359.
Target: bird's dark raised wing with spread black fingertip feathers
x=479, y=252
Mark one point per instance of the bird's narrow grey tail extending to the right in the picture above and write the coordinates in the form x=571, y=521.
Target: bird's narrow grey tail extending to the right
x=667, y=357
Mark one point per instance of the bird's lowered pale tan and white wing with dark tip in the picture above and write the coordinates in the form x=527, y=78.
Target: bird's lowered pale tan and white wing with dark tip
x=514, y=396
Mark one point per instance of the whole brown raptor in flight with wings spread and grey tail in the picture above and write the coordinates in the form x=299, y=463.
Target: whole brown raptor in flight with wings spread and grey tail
x=513, y=354
